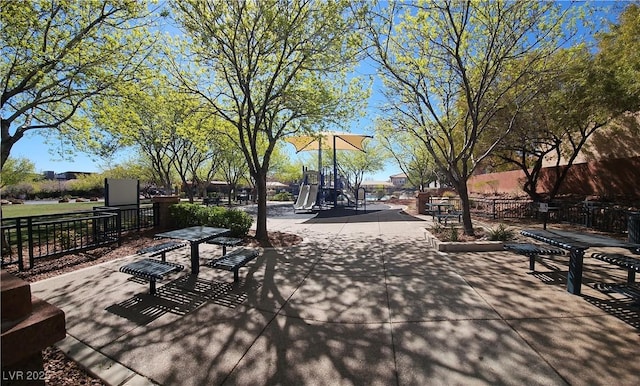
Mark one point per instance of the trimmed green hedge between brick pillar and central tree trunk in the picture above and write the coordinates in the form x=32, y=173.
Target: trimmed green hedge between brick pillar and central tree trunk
x=186, y=215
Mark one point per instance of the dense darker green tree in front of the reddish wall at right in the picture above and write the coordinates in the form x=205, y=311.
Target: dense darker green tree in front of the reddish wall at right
x=584, y=93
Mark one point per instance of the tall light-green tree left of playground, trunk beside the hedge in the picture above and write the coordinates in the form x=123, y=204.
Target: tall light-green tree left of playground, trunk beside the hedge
x=273, y=69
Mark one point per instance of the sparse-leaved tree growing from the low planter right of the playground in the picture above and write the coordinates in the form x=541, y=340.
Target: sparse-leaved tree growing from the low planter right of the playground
x=448, y=66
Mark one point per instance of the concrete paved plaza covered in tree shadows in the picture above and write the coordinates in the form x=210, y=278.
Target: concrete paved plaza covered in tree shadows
x=362, y=300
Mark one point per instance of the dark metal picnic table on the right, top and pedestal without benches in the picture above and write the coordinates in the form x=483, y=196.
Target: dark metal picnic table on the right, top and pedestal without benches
x=576, y=243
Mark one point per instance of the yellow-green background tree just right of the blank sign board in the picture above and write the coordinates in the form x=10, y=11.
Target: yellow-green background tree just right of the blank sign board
x=159, y=121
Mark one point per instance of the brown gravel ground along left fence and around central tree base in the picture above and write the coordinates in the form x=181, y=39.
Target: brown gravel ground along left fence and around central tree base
x=59, y=369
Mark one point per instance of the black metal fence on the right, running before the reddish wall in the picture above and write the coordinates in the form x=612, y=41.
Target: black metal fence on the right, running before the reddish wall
x=594, y=215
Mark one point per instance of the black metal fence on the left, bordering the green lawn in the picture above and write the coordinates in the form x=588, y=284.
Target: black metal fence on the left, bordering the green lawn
x=26, y=239
